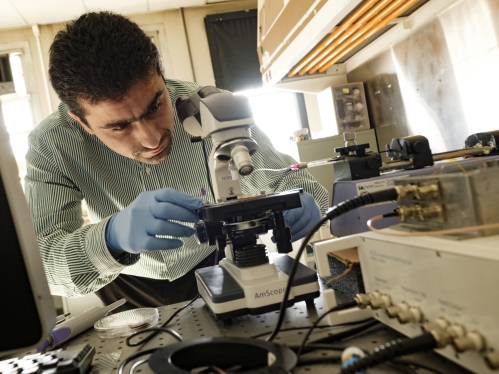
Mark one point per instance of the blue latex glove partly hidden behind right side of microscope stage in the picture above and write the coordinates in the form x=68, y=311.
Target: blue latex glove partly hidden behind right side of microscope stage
x=301, y=220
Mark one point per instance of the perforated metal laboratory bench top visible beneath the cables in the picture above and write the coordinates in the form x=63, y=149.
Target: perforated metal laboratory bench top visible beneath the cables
x=196, y=322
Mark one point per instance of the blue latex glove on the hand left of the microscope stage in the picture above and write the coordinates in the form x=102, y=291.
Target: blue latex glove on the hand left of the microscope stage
x=134, y=229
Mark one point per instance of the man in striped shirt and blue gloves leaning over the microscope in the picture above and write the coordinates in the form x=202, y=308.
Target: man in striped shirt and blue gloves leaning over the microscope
x=116, y=143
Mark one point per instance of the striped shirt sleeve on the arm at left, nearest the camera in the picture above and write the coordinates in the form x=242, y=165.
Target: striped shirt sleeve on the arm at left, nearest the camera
x=75, y=257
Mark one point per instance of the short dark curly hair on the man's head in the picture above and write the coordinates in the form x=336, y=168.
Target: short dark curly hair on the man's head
x=99, y=57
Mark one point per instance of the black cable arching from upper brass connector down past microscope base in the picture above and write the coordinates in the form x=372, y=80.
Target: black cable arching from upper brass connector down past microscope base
x=336, y=211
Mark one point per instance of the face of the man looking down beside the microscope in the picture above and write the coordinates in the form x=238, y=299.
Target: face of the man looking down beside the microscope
x=140, y=126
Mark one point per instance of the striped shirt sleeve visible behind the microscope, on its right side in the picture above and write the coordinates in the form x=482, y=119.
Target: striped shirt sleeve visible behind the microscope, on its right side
x=267, y=157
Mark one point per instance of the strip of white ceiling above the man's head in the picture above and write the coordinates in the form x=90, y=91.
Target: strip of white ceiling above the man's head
x=21, y=13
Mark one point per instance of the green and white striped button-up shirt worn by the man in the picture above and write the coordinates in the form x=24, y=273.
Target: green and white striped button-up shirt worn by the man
x=66, y=165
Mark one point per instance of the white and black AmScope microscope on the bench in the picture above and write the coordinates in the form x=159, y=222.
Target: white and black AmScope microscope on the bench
x=248, y=280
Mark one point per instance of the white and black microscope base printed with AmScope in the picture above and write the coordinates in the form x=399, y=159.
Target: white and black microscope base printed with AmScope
x=228, y=297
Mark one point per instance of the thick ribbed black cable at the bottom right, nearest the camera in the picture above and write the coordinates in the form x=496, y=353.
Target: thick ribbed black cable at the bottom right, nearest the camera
x=391, y=350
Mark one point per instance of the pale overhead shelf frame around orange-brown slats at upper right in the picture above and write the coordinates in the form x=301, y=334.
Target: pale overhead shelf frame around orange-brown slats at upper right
x=316, y=23
